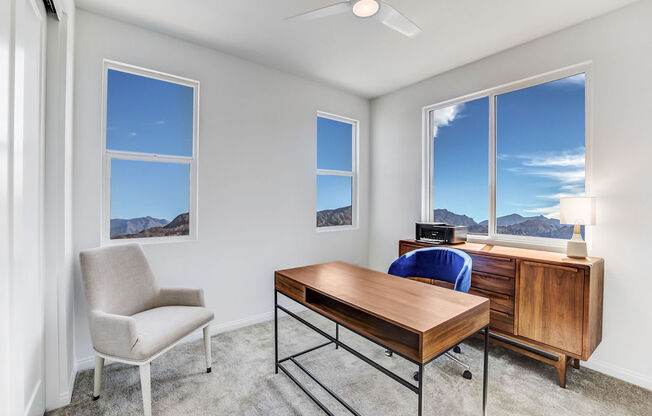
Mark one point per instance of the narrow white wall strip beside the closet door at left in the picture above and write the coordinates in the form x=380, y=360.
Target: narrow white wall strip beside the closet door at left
x=59, y=255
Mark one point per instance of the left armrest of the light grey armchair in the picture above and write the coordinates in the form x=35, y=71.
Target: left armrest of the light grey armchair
x=113, y=334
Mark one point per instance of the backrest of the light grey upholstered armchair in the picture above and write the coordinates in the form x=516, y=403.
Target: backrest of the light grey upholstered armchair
x=118, y=280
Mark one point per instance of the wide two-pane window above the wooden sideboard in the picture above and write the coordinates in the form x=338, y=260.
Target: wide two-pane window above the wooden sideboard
x=500, y=160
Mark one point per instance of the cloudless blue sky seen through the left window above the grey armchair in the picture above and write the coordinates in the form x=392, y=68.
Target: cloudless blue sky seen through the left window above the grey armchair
x=150, y=116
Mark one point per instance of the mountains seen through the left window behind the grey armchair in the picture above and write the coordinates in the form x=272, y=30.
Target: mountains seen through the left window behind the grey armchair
x=152, y=227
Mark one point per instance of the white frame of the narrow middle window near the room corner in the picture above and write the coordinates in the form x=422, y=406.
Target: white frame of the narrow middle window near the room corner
x=353, y=174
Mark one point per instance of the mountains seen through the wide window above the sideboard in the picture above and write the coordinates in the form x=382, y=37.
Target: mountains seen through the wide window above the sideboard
x=512, y=224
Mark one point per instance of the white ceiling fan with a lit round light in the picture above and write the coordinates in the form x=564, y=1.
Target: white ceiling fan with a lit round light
x=366, y=9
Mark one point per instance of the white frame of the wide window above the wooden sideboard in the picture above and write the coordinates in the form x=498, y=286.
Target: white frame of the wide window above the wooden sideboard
x=427, y=191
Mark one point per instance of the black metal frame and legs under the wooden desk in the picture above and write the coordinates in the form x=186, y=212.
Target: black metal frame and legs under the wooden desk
x=418, y=389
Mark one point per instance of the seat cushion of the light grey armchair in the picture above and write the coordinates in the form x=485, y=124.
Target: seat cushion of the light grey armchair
x=158, y=328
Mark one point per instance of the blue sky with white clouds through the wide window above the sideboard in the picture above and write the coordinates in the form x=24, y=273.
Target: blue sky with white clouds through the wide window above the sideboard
x=540, y=151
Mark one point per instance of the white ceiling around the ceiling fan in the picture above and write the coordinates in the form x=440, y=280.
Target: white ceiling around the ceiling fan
x=358, y=55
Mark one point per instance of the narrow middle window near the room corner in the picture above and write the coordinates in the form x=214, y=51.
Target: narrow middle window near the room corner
x=337, y=139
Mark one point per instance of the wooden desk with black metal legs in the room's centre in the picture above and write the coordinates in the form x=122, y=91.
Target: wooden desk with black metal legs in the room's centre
x=415, y=321
